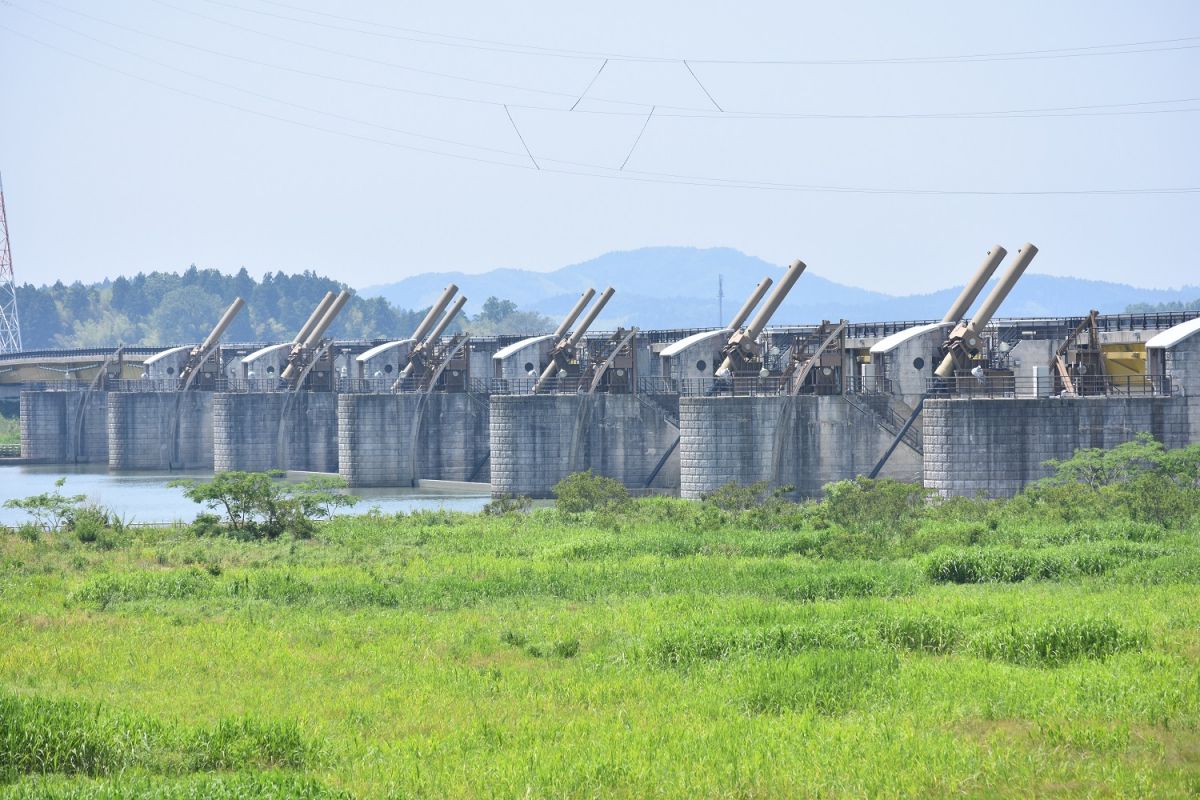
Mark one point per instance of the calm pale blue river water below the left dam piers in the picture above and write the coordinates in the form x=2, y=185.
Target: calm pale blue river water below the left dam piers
x=146, y=497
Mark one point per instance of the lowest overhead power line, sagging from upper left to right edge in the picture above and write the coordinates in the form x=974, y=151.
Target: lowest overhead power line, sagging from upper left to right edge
x=599, y=171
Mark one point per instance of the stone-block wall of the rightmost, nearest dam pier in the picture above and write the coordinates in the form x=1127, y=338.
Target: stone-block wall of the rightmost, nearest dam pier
x=998, y=447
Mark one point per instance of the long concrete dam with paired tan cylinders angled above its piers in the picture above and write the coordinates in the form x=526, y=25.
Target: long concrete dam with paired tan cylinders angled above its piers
x=965, y=405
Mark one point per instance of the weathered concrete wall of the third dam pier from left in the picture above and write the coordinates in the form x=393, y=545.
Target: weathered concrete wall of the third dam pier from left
x=262, y=431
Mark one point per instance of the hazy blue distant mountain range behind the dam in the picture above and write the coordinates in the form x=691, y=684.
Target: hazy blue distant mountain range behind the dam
x=676, y=287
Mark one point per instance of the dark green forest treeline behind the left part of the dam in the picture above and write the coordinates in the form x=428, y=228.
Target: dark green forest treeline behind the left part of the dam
x=164, y=309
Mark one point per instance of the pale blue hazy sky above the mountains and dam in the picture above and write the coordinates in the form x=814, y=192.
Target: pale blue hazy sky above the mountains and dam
x=141, y=135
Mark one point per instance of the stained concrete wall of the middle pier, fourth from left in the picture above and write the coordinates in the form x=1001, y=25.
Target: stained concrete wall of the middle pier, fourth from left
x=399, y=440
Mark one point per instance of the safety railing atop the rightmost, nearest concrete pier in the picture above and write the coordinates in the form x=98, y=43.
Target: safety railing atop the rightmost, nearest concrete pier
x=989, y=387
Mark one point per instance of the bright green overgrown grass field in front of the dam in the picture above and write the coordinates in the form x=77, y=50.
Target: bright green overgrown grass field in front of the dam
x=661, y=651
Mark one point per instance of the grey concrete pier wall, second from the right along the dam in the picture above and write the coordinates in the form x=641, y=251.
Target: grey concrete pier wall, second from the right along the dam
x=805, y=442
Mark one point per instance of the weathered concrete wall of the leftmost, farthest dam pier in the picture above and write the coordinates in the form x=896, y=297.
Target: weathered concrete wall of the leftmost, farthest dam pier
x=56, y=431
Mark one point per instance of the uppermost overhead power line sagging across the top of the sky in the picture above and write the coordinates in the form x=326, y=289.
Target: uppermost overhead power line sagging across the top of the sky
x=416, y=35
